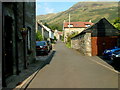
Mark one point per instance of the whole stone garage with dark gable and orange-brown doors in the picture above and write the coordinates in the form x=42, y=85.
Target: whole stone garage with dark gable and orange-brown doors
x=96, y=38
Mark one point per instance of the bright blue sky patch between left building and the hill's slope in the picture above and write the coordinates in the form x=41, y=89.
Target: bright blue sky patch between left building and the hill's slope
x=52, y=7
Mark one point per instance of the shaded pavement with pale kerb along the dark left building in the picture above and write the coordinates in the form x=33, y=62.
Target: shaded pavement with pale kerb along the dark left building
x=25, y=77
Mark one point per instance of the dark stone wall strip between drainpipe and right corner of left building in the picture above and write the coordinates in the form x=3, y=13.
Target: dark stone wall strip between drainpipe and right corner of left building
x=30, y=20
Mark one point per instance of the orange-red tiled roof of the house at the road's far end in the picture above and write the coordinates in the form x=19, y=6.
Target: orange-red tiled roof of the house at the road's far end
x=78, y=24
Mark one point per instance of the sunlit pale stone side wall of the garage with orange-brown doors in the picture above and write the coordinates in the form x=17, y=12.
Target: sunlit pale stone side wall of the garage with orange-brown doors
x=82, y=43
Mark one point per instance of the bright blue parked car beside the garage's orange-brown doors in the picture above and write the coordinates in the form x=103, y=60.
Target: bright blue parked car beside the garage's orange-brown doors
x=108, y=52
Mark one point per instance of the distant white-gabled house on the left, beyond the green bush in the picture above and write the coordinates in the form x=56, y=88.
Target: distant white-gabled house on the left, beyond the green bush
x=46, y=32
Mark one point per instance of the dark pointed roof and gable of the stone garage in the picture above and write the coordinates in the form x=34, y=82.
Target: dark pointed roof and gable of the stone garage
x=103, y=26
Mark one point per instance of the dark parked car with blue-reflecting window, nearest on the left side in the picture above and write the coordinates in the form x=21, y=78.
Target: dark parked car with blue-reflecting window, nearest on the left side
x=42, y=47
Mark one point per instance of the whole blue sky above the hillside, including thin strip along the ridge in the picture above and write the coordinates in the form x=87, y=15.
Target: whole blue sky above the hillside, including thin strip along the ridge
x=54, y=6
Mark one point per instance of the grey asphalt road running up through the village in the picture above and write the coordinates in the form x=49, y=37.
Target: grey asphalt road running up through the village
x=70, y=69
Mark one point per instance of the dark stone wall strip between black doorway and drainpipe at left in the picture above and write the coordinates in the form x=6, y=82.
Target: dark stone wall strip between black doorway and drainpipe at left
x=20, y=44
